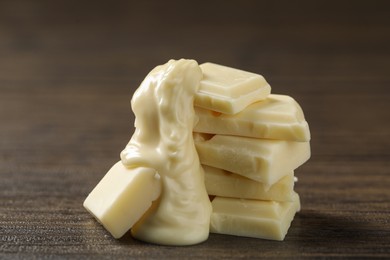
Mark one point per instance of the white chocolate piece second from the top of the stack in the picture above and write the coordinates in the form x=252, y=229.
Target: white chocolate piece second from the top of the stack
x=276, y=117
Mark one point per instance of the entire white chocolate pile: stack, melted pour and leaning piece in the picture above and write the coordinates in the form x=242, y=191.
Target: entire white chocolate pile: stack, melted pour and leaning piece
x=158, y=189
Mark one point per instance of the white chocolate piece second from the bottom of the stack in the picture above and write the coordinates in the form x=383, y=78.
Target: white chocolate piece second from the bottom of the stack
x=222, y=183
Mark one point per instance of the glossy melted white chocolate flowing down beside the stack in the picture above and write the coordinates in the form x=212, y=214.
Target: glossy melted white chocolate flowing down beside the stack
x=165, y=117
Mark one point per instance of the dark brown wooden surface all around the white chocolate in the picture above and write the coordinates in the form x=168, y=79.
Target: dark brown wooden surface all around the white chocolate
x=68, y=70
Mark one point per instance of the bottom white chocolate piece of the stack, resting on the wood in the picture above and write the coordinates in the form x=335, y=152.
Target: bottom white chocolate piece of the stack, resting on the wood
x=253, y=218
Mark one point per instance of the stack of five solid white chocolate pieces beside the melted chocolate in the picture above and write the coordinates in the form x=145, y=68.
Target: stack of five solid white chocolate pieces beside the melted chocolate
x=249, y=142
